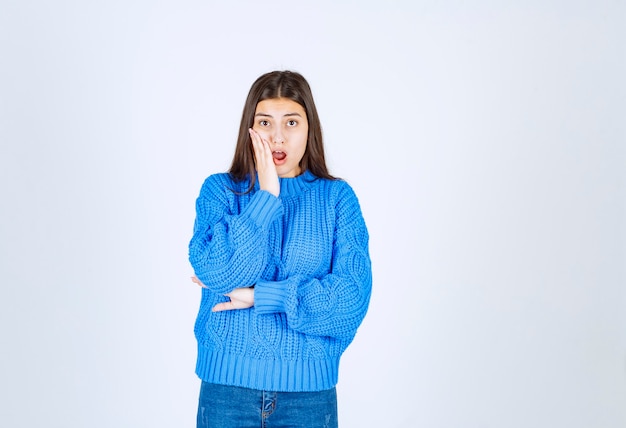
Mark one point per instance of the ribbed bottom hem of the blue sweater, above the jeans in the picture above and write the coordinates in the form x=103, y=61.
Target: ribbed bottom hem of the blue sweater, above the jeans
x=268, y=375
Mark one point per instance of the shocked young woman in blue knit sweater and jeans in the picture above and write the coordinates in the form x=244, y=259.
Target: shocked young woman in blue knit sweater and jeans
x=281, y=251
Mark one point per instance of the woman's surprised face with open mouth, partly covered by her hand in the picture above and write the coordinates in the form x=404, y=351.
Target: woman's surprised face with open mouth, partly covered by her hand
x=283, y=123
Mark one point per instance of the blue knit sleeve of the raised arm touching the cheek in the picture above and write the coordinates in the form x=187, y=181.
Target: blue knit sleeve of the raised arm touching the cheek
x=226, y=250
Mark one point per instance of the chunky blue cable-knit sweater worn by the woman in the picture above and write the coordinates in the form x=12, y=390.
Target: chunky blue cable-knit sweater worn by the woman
x=306, y=253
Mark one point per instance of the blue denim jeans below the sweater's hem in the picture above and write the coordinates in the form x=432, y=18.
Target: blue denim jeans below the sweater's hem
x=223, y=406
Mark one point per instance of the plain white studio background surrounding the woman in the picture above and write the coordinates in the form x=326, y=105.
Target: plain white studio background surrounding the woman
x=486, y=143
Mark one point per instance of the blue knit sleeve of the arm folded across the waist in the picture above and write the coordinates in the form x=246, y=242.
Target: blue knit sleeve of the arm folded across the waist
x=335, y=304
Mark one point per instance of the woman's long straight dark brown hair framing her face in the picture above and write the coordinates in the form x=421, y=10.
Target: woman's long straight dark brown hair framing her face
x=279, y=84
